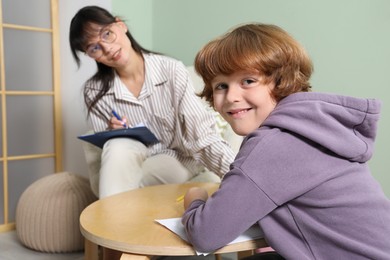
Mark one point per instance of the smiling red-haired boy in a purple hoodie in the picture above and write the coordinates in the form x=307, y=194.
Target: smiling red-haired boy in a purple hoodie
x=301, y=173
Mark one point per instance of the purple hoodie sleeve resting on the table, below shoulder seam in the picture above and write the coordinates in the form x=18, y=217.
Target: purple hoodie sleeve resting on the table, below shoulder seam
x=212, y=225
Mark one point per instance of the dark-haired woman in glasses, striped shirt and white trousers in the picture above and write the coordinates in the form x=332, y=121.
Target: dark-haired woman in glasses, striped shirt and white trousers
x=147, y=88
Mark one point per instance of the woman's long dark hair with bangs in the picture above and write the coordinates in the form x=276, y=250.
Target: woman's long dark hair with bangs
x=80, y=31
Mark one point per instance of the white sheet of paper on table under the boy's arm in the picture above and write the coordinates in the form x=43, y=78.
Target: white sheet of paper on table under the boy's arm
x=175, y=225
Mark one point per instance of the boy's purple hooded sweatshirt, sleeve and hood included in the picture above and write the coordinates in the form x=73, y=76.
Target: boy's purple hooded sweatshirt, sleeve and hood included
x=303, y=178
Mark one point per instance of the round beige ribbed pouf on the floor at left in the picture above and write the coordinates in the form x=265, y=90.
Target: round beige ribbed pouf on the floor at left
x=48, y=211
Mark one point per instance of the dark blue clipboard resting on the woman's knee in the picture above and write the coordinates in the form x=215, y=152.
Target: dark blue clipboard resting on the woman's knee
x=141, y=133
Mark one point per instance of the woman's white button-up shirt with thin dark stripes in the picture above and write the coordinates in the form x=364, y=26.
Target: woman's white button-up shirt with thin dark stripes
x=168, y=106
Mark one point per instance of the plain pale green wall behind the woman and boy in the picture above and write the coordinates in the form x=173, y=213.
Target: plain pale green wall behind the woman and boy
x=348, y=41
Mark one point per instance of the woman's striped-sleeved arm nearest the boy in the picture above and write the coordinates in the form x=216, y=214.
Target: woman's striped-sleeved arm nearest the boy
x=197, y=124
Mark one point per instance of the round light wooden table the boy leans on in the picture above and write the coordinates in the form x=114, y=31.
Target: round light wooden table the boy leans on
x=126, y=222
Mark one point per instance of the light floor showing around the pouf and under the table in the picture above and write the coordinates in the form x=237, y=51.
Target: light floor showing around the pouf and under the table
x=11, y=249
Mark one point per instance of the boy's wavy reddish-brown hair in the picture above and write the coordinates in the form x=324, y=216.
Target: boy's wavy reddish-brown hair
x=262, y=48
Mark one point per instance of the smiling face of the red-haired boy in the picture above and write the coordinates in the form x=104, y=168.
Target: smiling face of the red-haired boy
x=243, y=100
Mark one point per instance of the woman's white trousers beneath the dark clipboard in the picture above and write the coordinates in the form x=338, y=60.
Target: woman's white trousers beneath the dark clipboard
x=125, y=165
